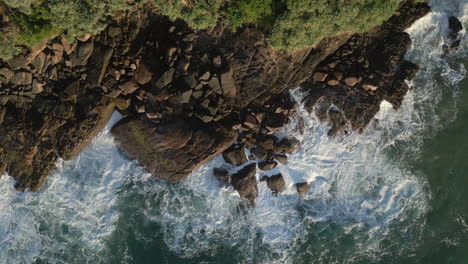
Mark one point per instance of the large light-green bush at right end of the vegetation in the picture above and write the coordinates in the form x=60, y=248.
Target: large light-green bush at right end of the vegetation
x=308, y=21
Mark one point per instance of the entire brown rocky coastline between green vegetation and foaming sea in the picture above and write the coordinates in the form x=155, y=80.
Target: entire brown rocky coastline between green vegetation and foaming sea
x=188, y=96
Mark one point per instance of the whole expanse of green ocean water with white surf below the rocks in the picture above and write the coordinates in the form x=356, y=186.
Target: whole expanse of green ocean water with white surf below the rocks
x=398, y=193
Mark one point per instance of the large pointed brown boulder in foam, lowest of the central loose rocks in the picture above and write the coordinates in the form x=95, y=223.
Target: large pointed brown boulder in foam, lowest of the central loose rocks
x=245, y=183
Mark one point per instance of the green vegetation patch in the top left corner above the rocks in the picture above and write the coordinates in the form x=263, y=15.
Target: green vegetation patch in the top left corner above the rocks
x=28, y=22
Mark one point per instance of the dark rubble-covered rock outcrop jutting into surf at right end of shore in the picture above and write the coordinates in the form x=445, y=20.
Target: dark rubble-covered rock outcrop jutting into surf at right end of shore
x=348, y=86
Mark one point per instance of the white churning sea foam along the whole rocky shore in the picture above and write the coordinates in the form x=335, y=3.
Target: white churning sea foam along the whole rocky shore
x=358, y=183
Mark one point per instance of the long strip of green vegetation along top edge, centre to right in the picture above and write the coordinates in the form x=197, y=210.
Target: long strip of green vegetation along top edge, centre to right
x=294, y=24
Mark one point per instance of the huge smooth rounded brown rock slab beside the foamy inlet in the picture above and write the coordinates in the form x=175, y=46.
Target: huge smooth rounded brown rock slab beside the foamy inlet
x=171, y=151
